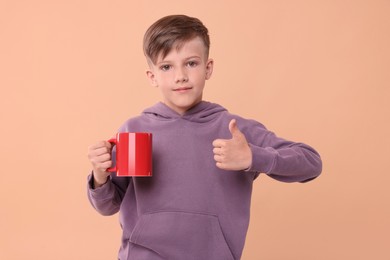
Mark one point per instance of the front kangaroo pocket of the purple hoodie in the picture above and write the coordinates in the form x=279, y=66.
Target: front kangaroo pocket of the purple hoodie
x=182, y=235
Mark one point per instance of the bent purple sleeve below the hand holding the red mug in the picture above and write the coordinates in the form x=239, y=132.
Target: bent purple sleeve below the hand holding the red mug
x=107, y=198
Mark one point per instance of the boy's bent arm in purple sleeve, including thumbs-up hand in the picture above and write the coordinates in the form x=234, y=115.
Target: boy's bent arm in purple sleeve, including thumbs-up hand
x=280, y=159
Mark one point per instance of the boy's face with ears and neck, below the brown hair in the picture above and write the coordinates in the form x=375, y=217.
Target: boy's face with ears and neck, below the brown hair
x=181, y=75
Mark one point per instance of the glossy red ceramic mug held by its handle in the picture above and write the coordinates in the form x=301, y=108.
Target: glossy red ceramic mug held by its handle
x=133, y=154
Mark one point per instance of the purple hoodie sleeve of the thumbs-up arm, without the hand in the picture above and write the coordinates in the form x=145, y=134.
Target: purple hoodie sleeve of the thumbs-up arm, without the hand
x=281, y=159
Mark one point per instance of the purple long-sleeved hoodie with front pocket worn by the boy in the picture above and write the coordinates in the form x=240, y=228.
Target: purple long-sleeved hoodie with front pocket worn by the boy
x=190, y=209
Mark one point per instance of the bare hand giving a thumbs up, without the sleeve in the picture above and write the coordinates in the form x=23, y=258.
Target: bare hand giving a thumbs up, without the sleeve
x=232, y=154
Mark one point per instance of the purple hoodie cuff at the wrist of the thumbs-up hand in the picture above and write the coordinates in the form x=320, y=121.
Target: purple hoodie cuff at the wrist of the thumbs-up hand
x=263, y=159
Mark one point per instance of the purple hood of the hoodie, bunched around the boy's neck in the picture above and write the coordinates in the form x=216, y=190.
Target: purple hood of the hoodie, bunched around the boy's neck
x=202, y=112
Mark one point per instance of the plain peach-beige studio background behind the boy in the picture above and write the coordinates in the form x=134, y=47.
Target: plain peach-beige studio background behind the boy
x=71, y=71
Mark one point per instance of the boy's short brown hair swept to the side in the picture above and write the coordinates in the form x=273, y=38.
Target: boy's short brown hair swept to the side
x=173, y=31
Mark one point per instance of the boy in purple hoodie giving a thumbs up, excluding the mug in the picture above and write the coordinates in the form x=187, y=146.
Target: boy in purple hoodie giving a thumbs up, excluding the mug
x=196, y=205
